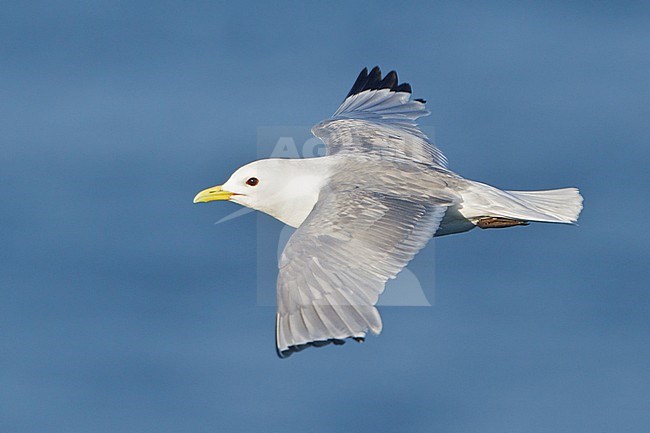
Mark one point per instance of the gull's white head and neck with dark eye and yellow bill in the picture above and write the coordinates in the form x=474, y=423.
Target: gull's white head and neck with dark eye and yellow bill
x=278, y=187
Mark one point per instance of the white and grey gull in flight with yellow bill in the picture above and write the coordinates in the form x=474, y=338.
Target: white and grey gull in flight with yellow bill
x=366, y=208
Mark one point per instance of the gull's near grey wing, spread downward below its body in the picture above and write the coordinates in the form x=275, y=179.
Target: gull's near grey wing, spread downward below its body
x=336, y=264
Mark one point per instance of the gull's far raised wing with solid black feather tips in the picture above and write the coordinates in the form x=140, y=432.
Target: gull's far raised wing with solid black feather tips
x=378, y=117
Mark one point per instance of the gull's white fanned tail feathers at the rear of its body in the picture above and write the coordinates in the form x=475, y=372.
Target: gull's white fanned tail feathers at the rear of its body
x=554, y=206
